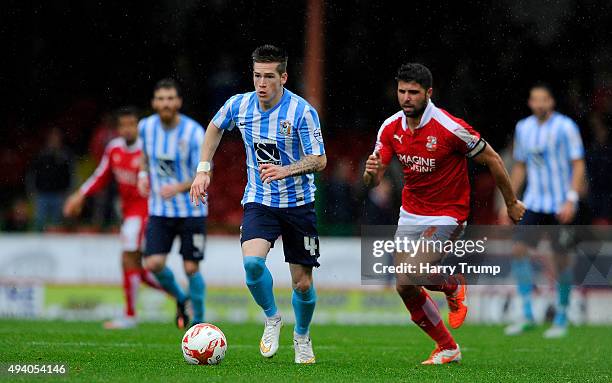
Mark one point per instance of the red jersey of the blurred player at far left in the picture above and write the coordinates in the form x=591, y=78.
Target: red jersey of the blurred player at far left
x=122, y=162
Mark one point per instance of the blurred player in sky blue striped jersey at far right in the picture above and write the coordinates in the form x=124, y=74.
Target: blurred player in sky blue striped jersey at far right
x=548, y=152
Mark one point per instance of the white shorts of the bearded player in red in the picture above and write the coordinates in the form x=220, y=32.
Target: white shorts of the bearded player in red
x=437, y=228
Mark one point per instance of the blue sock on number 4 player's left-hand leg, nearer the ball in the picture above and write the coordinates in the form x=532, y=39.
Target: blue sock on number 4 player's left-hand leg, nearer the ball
x=259, y=281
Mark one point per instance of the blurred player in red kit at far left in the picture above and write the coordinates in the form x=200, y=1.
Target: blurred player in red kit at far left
x=121, y=160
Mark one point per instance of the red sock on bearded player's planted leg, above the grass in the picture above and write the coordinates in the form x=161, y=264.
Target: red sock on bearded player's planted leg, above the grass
x=425, y=314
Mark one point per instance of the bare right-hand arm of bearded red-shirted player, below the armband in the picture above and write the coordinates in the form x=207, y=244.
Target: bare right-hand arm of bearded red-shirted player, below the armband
x=494, y=162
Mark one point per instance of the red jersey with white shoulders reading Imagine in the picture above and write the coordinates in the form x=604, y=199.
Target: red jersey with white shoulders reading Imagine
x=434, y=160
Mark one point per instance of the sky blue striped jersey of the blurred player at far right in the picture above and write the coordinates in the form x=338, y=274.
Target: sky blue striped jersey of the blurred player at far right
x=548, y=151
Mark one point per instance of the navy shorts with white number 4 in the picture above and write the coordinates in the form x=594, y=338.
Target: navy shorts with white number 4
x=297, y=225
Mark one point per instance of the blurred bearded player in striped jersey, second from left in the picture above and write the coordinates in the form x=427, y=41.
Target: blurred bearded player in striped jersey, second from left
x=171, y=149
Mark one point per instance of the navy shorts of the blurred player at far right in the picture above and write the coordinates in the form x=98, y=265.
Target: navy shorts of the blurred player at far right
x=535, y=226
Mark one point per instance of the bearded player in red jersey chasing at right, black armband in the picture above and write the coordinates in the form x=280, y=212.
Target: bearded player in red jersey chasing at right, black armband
x=432, y=145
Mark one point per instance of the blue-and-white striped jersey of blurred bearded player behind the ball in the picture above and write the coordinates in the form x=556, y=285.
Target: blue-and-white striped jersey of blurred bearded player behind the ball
x=173, y=156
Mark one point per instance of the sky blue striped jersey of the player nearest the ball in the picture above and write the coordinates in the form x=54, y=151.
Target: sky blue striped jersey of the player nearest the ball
x=281, y=135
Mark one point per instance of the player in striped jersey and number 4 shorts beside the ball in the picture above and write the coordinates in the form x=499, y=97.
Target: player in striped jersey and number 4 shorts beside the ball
x=284, y=147
